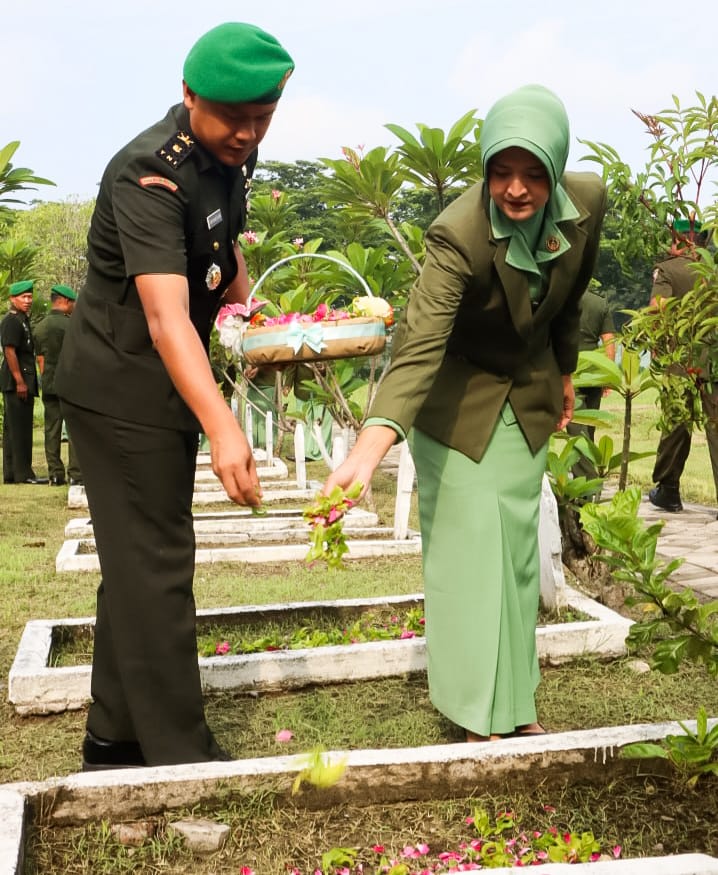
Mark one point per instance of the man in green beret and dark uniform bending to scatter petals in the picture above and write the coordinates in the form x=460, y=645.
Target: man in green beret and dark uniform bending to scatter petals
x=137, y=388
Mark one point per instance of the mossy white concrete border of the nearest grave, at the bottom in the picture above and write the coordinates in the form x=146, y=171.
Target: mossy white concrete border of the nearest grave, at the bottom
x=384, y=776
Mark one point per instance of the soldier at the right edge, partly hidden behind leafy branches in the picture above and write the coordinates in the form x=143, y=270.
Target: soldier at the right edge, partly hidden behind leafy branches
x=673, y=277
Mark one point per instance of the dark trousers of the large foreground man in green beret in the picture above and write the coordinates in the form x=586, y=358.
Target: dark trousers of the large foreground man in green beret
x=145, y=674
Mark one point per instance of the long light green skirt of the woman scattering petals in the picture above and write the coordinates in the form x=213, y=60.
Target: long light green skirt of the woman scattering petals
x=479, y=527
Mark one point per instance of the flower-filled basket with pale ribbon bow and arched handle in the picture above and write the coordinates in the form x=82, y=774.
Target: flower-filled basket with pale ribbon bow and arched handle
x=327, y=333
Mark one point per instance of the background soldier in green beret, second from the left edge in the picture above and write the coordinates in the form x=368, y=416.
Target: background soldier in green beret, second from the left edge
x=49, y=335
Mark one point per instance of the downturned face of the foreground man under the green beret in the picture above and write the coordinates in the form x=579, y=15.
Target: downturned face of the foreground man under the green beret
x=230, y=131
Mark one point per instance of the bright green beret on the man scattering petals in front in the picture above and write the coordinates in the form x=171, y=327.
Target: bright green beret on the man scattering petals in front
x=237, y=63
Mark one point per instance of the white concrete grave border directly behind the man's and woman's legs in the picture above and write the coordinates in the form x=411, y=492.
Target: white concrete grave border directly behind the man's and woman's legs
x=36, y=688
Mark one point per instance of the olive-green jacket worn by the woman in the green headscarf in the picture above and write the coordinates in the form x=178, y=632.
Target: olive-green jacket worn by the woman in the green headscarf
x=472, y=338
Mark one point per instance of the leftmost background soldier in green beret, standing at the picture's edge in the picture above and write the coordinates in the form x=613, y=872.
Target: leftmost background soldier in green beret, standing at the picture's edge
x=18, y=382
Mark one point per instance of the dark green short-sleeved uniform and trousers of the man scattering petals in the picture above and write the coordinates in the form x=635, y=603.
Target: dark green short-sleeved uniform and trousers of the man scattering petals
x=165, y=205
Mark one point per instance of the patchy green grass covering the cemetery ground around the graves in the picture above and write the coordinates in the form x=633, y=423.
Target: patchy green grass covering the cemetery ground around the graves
x=388, y=713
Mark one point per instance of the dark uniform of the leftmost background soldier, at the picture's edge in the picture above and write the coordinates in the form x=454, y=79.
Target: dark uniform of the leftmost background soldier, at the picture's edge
x=18, y=416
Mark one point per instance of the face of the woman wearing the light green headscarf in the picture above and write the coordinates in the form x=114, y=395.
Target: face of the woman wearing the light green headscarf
x=518, y=183
